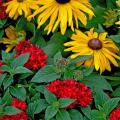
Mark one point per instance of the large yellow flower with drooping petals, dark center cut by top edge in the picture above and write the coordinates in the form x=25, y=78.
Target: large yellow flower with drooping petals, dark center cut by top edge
x=63, y=12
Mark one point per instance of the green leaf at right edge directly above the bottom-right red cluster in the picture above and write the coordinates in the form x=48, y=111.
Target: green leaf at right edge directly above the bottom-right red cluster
x=110, y=105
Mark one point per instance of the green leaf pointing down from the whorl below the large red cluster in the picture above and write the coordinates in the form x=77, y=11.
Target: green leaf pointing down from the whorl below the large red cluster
x=50, y=112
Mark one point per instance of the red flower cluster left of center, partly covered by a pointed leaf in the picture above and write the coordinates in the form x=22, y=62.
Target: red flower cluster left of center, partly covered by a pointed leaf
x=37, y=59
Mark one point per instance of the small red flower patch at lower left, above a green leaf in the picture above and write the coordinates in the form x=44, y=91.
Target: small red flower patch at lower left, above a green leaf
x=19, y=104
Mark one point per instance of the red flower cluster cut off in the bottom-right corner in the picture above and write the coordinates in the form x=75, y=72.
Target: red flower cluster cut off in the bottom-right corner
x=115, y=114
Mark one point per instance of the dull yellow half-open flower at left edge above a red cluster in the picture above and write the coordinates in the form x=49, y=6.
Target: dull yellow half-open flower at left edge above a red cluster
x=13, y=38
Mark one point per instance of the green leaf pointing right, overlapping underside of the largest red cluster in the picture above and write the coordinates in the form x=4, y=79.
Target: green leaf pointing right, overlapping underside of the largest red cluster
x=64, y=102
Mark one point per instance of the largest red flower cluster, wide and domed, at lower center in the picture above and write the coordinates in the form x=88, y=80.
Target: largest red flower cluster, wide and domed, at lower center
x=73, y=90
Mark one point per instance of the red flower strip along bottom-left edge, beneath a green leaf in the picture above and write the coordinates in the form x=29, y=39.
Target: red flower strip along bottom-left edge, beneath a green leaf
x=19, y=116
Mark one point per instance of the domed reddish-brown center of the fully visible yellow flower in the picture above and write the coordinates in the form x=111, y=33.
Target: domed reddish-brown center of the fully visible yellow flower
x=95, y=44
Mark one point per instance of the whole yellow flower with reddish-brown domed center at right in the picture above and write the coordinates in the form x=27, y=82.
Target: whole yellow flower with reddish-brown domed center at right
x=91, y=43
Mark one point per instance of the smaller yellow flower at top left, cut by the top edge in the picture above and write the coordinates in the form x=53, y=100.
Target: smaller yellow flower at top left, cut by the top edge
x=16, y=8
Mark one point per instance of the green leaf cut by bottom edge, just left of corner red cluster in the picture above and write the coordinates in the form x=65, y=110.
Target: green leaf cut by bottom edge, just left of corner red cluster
x=97, y=115
